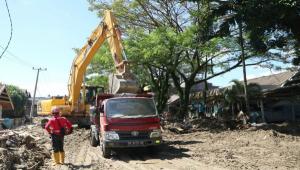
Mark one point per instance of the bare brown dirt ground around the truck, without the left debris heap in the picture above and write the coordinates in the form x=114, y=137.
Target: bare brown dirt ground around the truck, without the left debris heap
x=247, y=149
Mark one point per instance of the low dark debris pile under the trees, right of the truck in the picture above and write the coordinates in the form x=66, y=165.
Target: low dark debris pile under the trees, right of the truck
x=202, y=124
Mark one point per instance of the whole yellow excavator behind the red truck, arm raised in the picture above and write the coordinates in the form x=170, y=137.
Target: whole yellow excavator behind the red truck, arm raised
x=76, y=106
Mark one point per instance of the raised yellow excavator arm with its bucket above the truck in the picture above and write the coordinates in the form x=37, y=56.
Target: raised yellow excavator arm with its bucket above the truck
x=121, y=81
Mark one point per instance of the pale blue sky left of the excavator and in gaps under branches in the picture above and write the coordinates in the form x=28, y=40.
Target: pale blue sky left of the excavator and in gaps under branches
x=45, y=31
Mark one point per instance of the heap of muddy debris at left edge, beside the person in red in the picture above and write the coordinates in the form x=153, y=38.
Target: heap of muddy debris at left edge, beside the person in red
x=22, y=149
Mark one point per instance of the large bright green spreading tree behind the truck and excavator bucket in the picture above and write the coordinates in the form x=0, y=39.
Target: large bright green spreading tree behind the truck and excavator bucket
x=167, y=44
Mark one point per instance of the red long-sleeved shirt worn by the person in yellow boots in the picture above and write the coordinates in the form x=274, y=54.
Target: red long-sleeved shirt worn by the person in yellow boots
x=54, y=125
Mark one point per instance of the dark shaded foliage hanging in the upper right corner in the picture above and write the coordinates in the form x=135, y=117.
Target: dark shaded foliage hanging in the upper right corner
x=269, y=24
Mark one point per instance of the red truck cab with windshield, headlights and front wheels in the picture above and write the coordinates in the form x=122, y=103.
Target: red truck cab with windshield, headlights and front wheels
x=123, y=122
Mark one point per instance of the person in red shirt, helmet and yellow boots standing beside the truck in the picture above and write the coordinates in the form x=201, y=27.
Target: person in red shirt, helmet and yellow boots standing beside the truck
x=58, y=127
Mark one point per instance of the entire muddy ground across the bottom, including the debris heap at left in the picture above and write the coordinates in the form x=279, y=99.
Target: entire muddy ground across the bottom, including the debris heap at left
x=275, y=146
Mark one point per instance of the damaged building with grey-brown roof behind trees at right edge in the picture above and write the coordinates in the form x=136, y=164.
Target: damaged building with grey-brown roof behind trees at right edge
x=278, y=100
